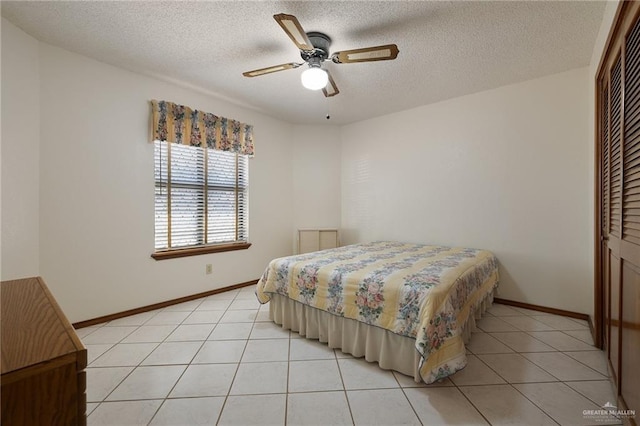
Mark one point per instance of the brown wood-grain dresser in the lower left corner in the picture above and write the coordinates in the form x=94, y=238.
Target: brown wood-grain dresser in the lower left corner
x=43, y=360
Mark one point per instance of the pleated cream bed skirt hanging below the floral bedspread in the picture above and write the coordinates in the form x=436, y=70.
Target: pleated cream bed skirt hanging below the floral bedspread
x=391, y=351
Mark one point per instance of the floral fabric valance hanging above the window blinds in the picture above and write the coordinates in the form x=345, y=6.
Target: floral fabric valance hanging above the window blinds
x=180, y=124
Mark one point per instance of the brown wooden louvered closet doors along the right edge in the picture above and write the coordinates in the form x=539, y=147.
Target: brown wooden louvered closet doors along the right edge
x=619, y=198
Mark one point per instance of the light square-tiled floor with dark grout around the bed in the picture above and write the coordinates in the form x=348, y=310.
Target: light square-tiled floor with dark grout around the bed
x=219, y=360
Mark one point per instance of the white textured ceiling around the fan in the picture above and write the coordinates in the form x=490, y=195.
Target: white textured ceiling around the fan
x=447, y=49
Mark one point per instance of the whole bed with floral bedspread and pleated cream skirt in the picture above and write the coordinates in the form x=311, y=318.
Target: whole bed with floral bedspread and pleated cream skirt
x=409, y=307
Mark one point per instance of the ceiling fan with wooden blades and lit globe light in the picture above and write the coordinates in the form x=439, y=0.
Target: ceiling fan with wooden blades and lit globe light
x=314, y=50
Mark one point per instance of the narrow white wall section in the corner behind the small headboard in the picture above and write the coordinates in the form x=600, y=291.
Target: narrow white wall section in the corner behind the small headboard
x=316, y=171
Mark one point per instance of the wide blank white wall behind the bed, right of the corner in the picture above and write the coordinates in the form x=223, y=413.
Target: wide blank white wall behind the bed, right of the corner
x=504, y=170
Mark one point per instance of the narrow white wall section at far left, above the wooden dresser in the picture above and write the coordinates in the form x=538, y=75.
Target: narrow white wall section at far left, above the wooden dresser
x=20, y=156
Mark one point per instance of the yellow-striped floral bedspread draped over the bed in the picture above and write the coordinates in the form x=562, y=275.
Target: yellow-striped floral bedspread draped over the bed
x=423, y=292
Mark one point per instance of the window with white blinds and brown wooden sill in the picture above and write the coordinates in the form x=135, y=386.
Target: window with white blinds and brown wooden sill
x=201, y=200
